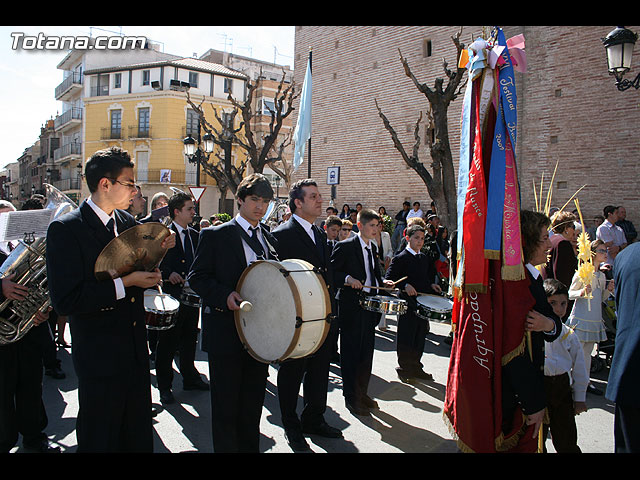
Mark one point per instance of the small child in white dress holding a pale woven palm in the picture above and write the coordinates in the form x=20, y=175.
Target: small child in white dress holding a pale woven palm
x=586, y=316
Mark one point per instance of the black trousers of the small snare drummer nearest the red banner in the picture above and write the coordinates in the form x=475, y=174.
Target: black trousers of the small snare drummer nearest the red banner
x=410, y=339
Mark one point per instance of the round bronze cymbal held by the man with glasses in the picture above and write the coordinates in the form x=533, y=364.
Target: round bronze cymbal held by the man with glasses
x=136, y=249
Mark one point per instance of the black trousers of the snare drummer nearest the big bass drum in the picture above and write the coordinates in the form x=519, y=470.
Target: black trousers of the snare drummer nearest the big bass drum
x=357, y=341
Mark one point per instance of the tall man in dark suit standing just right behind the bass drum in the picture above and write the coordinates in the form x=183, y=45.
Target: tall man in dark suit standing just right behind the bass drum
x=300, y=238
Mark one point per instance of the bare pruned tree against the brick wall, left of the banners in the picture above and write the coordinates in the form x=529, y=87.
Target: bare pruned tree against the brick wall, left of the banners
x=440, y=182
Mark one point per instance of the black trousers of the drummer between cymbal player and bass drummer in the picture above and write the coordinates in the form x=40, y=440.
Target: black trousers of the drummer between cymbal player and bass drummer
x=182, y=337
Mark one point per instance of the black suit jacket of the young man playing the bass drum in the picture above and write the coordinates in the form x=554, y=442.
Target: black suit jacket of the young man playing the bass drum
x=216, y=269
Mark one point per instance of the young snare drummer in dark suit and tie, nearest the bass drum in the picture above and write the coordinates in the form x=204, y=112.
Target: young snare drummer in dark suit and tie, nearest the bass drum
x=356, y=271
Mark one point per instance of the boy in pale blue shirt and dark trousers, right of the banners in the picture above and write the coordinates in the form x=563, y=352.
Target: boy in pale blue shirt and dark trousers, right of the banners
x=565, y=377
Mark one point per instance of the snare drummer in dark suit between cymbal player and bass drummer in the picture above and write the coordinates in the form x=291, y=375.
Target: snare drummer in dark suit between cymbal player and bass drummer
x=183, y=336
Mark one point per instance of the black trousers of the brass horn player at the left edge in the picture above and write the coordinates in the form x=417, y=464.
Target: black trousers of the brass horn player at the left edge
x=21, y=408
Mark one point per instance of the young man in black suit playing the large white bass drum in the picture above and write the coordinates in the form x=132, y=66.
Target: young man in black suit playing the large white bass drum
x=238, y=381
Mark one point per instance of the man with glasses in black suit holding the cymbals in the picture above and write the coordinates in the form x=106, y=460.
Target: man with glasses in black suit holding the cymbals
x=106, y=317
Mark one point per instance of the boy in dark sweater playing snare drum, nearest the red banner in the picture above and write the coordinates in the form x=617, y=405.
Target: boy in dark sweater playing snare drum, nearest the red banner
x=421, y=276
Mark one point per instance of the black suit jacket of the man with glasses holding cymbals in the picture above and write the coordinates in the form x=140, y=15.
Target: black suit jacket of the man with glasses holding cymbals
x=109, y=335
